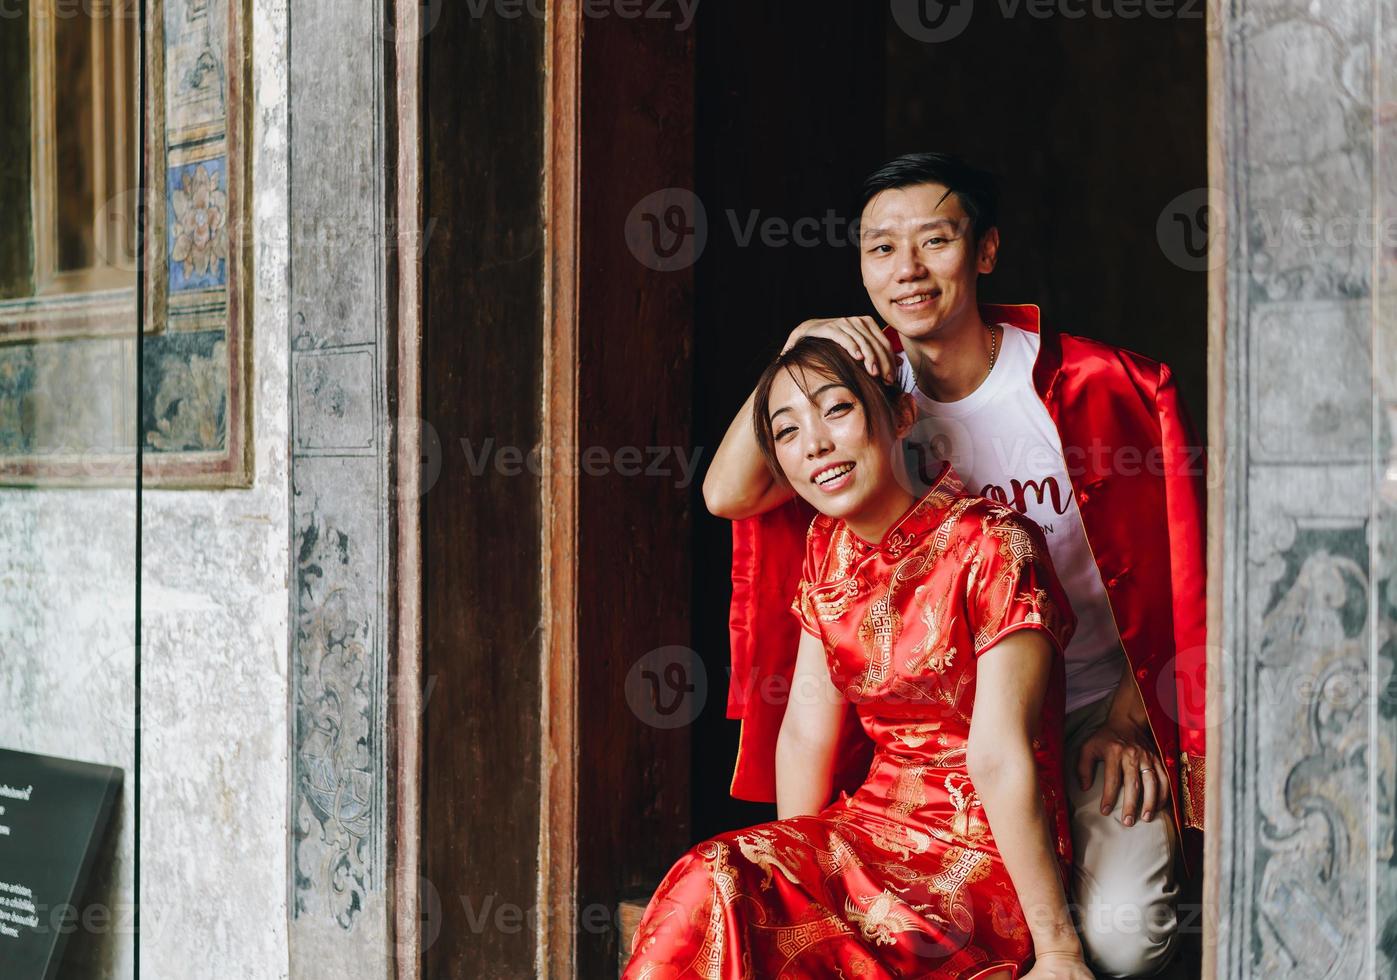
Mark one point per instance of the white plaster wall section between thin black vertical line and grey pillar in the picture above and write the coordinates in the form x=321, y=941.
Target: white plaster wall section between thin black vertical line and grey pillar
x=216, y=601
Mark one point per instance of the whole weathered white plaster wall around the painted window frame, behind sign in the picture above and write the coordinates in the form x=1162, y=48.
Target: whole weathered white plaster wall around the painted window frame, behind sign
x=214, y=633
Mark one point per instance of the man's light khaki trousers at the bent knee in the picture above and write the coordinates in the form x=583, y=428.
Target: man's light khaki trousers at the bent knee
x=1125, y=887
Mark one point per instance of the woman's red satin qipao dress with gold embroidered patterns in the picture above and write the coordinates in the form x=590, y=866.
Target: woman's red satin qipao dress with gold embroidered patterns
x=902, y=879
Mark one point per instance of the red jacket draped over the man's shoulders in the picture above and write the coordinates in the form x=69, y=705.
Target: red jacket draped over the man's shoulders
x=1138, y=471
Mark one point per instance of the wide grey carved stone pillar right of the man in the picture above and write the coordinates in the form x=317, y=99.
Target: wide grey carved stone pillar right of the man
x=1308, y=718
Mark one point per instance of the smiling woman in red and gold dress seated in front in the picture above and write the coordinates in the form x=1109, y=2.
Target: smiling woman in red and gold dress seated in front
x=942, y=622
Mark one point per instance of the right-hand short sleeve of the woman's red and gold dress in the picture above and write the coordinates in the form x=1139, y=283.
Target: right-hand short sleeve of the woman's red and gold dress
x=1014, y=586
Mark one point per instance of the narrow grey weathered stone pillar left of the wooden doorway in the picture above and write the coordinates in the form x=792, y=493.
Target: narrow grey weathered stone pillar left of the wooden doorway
x=340, y=438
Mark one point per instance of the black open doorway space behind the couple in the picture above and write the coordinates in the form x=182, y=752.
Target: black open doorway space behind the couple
x=1095, y=125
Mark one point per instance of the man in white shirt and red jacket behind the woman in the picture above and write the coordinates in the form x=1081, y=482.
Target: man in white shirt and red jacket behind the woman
x=1090, y=442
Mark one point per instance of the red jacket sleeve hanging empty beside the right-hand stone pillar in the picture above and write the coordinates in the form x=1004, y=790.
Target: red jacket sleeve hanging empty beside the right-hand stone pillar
x=1185, y=500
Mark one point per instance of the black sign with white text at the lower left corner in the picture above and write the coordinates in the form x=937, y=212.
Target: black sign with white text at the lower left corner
x=54, y=815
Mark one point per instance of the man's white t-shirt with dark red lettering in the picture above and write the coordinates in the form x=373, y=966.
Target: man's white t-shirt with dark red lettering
x=1005, y=446
